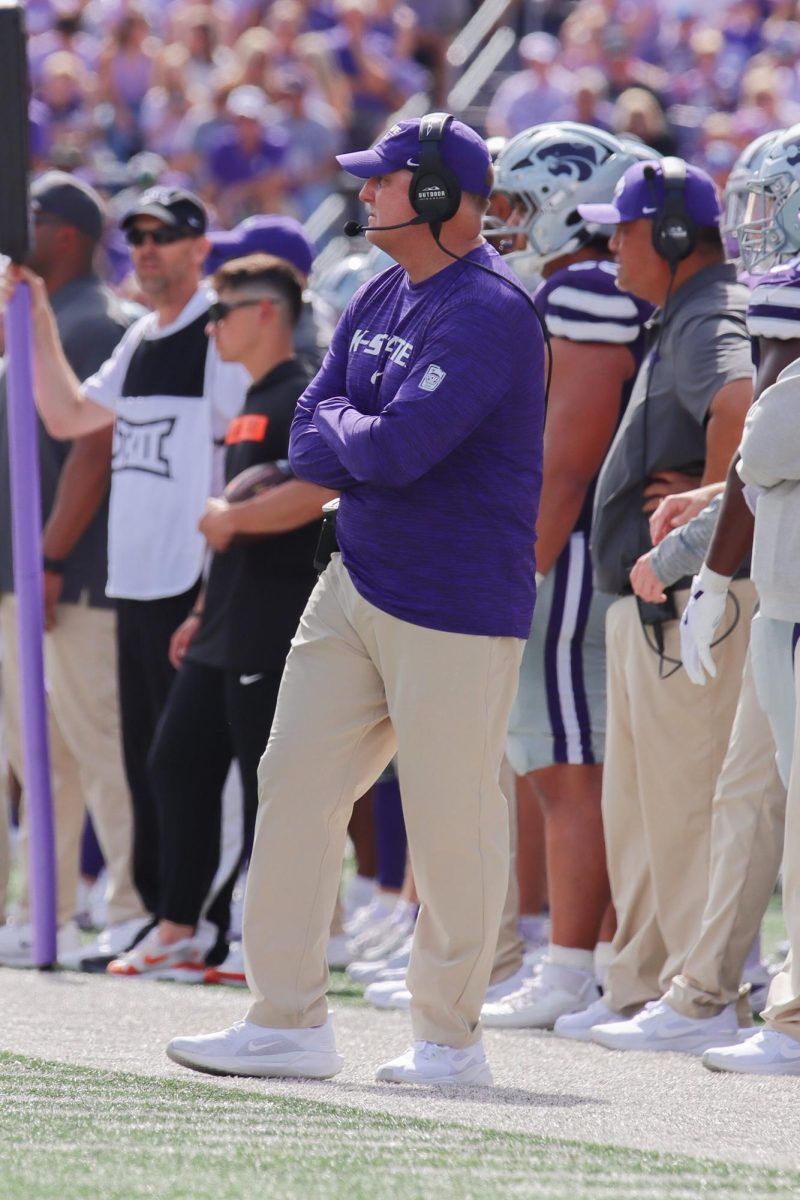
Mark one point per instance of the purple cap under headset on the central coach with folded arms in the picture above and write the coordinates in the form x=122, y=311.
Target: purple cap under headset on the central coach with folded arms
x=462, y=151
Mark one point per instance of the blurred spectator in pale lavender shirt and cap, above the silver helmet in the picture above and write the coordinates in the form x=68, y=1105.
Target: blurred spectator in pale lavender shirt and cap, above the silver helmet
x=542, y=92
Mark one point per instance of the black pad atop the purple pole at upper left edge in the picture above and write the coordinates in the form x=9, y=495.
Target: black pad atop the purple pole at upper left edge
x=15, y=160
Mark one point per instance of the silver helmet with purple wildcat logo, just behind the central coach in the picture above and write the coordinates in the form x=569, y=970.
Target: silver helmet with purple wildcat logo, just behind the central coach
x=546, y=172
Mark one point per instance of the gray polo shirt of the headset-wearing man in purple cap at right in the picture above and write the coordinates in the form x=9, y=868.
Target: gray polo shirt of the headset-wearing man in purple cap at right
x=705, y=345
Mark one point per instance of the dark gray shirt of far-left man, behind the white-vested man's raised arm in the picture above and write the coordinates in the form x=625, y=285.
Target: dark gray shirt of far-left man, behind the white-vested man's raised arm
x=91, y=322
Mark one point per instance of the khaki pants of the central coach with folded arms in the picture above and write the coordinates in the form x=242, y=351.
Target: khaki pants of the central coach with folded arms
x=359, y=686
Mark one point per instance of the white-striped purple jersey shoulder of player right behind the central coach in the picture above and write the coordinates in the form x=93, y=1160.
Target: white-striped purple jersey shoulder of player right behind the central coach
x=582, y=303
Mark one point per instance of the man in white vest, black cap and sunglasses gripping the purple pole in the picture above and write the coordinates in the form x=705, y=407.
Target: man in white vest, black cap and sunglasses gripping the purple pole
x=170, y=399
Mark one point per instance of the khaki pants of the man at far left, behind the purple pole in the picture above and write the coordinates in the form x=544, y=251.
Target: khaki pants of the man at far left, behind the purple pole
x=86, y=753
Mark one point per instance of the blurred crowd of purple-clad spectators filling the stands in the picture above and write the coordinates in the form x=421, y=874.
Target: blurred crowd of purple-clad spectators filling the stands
x=248, y=101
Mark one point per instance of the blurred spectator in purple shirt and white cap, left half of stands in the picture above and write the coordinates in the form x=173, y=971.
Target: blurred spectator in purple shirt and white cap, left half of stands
x=246, y=165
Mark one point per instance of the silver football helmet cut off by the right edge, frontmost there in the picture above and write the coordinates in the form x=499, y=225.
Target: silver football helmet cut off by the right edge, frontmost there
x=769, y=232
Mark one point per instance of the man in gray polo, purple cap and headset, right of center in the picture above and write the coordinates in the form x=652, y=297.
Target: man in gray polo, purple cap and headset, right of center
x=666, y=739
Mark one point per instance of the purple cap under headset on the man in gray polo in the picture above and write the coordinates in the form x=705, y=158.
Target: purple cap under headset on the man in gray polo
x=640, y=194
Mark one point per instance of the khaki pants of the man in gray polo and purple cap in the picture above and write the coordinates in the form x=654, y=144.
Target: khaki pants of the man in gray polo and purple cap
x=665, y=746
